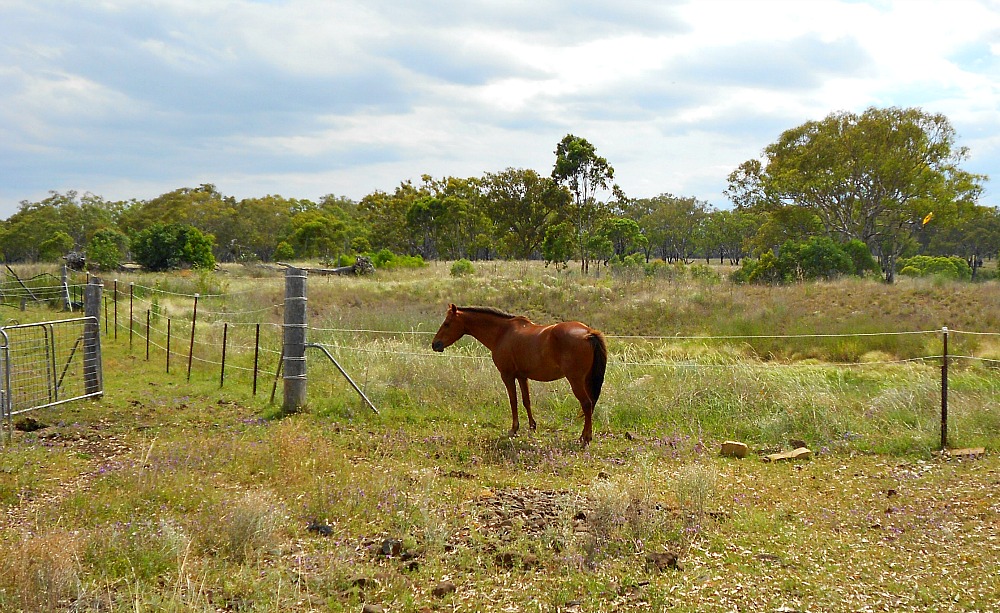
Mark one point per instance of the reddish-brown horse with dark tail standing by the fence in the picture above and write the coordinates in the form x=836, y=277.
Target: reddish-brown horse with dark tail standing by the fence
x=524, y=350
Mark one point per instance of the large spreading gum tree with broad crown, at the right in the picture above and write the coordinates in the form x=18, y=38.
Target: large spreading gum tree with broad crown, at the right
x=872, y=177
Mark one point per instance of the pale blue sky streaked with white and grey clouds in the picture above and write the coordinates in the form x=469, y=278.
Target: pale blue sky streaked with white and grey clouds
x=134, y=98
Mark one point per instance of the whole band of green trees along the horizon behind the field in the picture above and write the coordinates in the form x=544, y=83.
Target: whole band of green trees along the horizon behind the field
x=886, y=183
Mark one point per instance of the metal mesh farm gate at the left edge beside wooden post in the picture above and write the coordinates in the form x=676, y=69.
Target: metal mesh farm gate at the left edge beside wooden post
x=49, y=363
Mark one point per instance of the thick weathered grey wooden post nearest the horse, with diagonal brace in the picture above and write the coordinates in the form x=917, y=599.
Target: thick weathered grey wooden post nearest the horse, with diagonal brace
x=294, y=340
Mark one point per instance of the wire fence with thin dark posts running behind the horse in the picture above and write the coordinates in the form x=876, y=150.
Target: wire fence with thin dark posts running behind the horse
x=238, y=336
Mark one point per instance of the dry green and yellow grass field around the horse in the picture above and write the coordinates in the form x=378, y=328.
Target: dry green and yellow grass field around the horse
x=171, y=494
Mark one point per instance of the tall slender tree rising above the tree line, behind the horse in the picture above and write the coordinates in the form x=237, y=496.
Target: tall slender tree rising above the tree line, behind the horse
x=580, y=169
